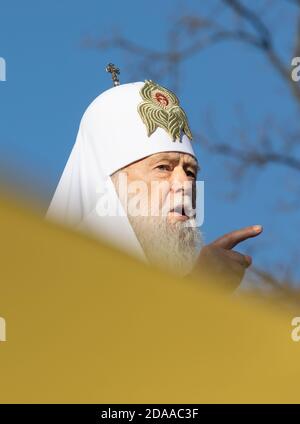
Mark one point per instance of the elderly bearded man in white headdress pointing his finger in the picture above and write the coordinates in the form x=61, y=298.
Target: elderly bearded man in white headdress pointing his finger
x=139, y=133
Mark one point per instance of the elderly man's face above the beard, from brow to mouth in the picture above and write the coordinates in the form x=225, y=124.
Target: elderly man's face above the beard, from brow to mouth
x=166, y=185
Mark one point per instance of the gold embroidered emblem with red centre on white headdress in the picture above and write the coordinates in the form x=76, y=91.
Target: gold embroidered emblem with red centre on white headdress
x=160, y=108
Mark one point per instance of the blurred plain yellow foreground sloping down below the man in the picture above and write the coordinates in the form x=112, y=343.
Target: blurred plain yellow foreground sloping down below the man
x=85, y=323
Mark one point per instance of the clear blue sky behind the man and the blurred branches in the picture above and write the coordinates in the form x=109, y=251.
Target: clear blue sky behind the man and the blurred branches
x=52, y=77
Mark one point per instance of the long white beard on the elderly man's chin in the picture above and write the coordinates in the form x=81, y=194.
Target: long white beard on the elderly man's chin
x=174, y=247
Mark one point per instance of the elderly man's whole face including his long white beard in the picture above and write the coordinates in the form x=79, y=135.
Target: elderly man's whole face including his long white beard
x=161, y=189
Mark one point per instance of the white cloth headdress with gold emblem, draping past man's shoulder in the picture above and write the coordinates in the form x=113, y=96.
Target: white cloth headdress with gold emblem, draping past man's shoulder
x=113, y=133
